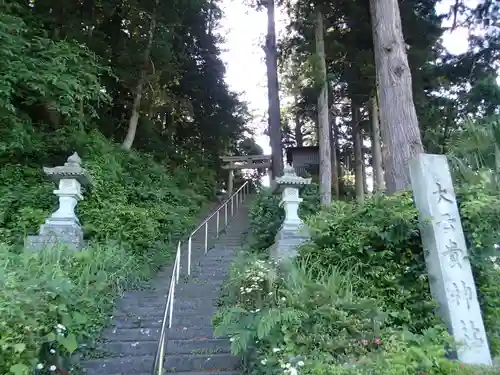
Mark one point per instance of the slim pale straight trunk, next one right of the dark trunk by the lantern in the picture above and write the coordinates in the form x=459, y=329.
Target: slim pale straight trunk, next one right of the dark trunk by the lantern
x=325, y=166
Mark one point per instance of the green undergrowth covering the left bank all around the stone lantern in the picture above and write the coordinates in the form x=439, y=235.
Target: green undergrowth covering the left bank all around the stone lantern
x=137, y=204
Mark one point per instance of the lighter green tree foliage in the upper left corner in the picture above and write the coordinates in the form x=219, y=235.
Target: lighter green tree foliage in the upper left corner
x=66, y=73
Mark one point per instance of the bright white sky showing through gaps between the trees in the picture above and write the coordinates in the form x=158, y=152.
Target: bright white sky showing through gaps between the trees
x=244, y=30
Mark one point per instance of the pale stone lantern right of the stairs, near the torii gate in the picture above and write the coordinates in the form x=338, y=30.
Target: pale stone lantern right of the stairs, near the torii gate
x=292, y=232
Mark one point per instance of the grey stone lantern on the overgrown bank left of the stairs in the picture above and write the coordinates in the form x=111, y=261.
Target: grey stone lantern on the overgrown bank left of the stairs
x=63, y=226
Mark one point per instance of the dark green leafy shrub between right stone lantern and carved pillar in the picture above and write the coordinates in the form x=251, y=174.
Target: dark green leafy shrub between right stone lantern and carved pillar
x=381, y=242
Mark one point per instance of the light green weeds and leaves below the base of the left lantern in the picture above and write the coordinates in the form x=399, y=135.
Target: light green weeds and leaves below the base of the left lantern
x=52, y=301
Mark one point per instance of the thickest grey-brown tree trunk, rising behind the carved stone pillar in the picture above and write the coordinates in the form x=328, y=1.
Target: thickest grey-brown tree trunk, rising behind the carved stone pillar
x=399, y=123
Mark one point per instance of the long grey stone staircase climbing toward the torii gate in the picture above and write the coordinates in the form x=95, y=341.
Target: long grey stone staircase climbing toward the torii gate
x=129, y=345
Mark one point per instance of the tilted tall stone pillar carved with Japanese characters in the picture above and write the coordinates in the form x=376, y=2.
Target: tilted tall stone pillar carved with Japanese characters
x=450, y=274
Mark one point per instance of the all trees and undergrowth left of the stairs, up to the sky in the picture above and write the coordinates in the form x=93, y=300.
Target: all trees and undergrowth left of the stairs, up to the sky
x=69, y=83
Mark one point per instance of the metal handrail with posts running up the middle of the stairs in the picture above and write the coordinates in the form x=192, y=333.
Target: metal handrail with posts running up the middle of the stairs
x=236, y=198
